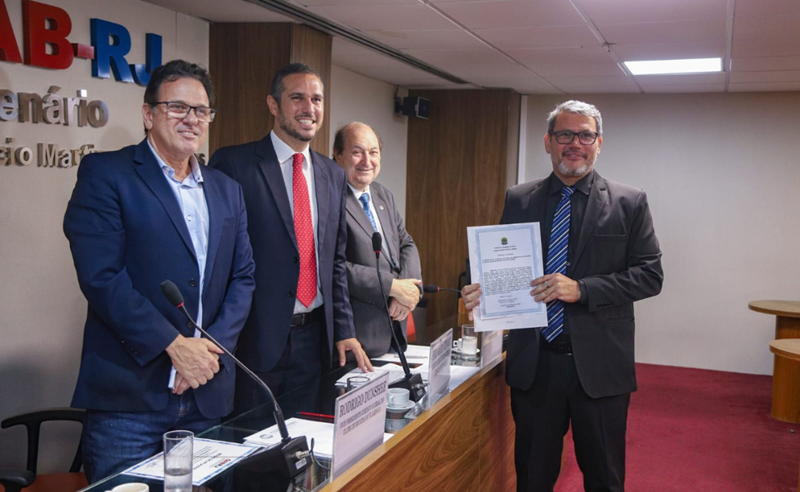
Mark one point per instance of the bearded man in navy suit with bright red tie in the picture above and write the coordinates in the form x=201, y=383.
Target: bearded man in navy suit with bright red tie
x=297, y=223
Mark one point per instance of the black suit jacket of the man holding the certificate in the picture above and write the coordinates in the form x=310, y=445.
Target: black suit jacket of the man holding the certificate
x=618, y=258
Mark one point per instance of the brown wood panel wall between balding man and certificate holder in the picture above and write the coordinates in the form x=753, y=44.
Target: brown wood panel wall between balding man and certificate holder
x=459, y=161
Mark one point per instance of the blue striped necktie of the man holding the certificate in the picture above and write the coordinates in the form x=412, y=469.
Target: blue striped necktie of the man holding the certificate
x=557, y=261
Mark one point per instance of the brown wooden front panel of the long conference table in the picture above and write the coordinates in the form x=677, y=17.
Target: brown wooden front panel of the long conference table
x=463, y=443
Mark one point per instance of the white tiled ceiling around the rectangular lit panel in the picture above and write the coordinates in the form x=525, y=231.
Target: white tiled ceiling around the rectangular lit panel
x=555, y=46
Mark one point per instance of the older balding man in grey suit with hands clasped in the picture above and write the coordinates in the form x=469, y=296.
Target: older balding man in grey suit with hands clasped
x=370, y=209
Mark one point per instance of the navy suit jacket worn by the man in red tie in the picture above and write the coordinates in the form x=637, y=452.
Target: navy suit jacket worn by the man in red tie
x=271, y=225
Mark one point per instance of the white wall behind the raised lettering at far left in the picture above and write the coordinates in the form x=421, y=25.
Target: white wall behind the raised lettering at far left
x=41, y=308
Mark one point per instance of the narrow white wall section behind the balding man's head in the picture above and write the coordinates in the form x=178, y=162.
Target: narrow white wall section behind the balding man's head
x=358, y=98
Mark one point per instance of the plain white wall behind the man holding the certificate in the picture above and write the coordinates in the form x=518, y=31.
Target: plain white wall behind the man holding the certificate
x=721, y=172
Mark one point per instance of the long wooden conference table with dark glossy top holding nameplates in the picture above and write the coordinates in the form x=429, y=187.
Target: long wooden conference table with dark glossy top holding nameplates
x=463, y=441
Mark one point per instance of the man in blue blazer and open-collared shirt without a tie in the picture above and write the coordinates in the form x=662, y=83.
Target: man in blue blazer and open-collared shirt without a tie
x=137, y=217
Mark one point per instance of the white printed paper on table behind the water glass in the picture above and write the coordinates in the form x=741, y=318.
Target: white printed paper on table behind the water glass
x=210, y=459
